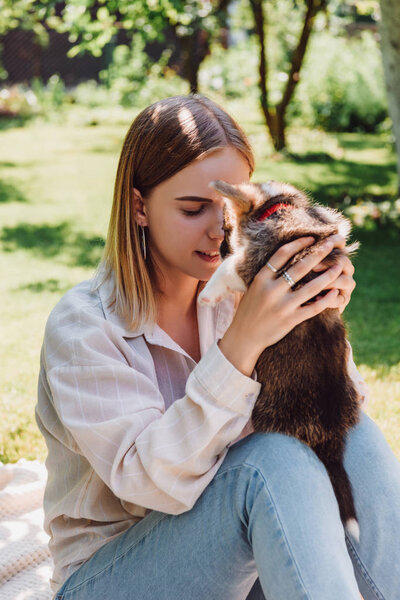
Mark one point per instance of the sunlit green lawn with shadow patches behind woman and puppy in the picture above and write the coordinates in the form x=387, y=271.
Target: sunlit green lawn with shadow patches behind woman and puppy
x=55, y=197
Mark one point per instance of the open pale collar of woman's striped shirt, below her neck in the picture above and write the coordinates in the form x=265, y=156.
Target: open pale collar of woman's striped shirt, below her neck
x=212, y=322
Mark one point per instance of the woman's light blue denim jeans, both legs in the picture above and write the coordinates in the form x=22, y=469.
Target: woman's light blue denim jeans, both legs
x=269, y=513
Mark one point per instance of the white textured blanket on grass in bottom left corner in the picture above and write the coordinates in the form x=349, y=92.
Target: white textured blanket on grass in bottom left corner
x=25, y=563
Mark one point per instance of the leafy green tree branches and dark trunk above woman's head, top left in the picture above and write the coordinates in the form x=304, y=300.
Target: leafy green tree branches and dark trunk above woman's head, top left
x=92, y=24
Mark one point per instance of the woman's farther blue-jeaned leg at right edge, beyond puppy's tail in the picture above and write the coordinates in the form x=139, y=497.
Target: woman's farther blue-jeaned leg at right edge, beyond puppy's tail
x=374, y=473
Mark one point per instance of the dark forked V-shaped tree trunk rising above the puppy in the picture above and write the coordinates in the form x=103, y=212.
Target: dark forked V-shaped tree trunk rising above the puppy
x=275, y=115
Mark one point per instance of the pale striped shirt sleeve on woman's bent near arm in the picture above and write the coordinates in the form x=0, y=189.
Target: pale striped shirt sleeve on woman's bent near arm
x=148, y=456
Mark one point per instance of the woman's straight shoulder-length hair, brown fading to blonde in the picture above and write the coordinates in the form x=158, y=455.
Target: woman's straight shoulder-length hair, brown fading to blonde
x=163, y=139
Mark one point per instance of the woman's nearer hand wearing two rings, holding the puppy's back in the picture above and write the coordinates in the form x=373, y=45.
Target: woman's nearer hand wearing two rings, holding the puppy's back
x=269, y=309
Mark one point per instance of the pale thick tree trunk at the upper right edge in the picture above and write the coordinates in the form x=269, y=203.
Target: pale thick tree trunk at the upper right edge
x=390, y=44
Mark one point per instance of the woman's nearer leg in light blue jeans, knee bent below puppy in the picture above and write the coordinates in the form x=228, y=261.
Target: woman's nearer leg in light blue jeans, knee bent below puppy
x=270, y=512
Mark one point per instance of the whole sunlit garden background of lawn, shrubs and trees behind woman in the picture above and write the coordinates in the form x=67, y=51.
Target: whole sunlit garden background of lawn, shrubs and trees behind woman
x=60, y=138
